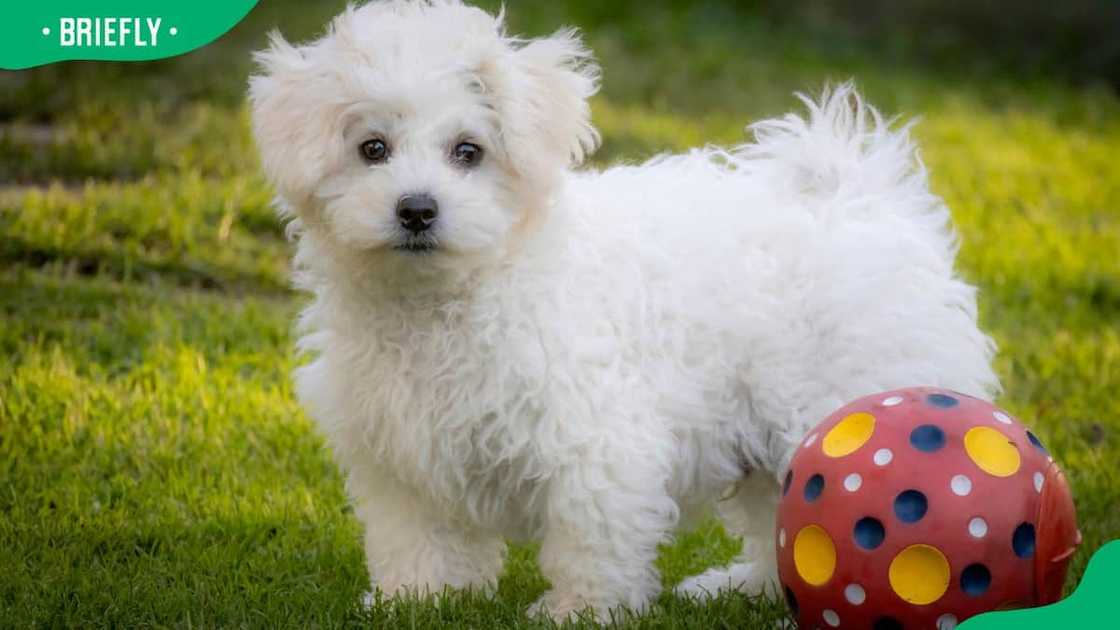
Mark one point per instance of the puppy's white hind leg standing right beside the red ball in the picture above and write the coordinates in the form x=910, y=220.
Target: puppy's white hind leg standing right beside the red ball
x=751, y=513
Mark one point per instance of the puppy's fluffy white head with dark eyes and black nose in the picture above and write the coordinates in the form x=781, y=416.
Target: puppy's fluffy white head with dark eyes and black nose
x=418, y=129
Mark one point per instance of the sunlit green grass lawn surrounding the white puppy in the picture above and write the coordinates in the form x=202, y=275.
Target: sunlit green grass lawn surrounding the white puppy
x=155, y=469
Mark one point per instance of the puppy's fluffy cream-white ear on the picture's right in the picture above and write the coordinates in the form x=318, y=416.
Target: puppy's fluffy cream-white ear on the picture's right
x=542, y=91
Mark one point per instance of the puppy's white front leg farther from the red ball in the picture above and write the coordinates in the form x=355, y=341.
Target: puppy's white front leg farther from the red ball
x=412, y=548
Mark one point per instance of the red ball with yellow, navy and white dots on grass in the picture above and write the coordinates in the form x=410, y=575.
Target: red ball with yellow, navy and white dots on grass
x=920, y=508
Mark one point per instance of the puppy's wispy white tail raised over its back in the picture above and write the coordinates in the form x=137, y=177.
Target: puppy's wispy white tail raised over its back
x=843, y=149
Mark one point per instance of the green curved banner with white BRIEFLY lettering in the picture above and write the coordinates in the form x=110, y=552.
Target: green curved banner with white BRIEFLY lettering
x=43, y=32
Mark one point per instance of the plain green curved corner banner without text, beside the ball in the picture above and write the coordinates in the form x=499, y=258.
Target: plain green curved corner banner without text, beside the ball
x=1091, y=606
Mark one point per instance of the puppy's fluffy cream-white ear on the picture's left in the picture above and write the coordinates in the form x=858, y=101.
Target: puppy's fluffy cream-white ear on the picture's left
x=292, y=123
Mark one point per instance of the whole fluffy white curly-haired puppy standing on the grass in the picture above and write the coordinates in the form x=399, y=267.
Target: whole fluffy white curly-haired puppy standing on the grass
x=509, y=349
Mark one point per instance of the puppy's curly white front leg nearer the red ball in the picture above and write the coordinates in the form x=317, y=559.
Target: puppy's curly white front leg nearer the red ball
x=605, y=521
